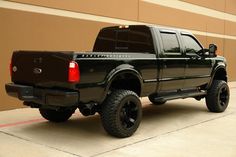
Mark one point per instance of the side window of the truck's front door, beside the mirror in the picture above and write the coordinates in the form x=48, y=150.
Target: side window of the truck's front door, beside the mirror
x=191, y=45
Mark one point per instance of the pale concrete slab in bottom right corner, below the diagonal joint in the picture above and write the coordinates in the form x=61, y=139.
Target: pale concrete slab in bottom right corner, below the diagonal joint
x=213, y=138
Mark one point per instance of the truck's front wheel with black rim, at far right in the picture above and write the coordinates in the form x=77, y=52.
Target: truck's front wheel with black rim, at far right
x=217, y=98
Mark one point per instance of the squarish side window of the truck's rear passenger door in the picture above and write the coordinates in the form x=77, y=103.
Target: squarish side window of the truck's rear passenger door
x=170, y=42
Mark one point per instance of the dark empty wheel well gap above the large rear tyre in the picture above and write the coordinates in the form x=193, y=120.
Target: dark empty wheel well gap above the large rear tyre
x=127, y=81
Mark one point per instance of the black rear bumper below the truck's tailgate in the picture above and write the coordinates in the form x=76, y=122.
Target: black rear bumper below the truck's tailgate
x=48, y=97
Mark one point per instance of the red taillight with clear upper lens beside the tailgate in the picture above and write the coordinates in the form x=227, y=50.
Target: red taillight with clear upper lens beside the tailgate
x=74, y=73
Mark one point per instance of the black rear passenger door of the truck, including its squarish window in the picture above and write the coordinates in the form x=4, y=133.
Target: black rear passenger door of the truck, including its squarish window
x=171, y=60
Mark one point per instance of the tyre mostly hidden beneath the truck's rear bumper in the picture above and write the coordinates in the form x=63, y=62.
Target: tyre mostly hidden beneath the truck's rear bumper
x=56, y=116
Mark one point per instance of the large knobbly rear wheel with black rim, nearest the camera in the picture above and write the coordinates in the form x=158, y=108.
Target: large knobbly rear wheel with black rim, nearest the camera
x=121, y=113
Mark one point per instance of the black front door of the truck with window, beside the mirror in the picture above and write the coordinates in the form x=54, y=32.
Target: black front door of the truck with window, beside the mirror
x=198, y=68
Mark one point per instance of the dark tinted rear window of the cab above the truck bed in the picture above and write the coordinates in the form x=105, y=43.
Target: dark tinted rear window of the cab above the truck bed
x=132, y=39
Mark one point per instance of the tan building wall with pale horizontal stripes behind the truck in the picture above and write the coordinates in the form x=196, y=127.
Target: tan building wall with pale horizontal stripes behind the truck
x=74, y=24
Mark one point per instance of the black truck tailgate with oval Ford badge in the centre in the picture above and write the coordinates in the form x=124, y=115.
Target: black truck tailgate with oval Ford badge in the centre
x=40, y=68
